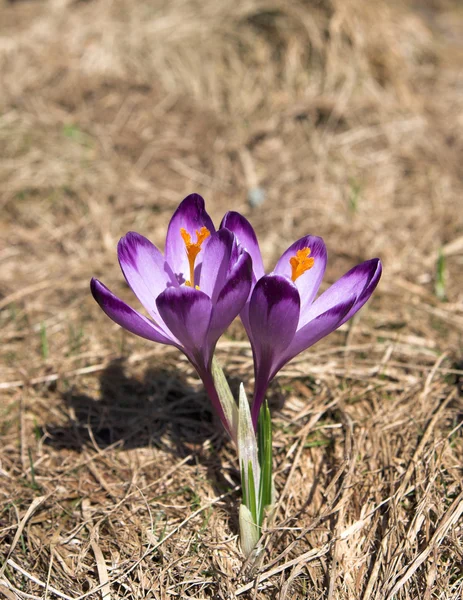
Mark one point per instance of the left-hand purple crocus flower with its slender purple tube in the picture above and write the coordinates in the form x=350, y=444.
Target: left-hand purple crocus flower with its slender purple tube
x=192, y=294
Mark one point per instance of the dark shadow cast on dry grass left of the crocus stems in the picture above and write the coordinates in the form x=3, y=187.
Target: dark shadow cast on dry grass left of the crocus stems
x=159, y=410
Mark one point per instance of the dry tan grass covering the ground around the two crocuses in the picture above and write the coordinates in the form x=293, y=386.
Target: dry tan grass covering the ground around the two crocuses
x=115, y=480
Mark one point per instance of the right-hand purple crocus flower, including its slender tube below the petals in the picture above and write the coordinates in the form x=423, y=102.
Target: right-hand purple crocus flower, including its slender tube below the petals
x=282, y=317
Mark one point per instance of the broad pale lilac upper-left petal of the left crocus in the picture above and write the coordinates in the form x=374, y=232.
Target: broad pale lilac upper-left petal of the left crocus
x=145, y=270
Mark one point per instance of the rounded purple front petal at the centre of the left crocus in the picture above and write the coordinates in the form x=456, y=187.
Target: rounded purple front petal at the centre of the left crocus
x=187, y=313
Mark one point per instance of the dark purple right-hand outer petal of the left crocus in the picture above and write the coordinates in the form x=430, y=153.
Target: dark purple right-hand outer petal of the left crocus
x=232, y=297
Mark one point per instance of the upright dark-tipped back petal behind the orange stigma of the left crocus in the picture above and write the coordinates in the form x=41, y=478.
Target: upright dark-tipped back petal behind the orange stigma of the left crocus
x=191, y=215
